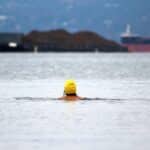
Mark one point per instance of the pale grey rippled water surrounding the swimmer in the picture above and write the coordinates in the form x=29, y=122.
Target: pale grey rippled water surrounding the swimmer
x=34, y=121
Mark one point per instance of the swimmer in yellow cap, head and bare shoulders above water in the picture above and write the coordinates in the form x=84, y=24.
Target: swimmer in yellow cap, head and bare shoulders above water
x=70, y=91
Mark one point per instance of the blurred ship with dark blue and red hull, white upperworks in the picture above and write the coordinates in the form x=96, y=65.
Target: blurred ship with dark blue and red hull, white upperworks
x=134, y=42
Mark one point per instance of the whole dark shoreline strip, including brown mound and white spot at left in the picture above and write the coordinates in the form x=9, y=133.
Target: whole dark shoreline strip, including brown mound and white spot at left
x=57, y=41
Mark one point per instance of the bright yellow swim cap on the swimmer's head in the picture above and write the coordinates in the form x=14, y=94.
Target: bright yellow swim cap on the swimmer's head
x=70, y=87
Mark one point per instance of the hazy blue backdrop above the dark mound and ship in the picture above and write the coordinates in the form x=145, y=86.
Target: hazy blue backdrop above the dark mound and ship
x=106, y=17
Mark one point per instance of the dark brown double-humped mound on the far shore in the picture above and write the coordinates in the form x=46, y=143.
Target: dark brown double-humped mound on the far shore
x=62, y=40
